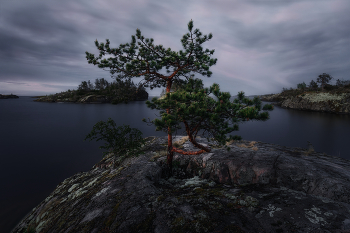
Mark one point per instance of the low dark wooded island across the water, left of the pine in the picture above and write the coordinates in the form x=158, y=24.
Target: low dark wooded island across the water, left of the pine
x=102, y=92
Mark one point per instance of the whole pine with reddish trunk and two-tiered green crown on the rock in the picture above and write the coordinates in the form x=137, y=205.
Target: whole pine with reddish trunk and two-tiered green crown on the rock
x=187, y=106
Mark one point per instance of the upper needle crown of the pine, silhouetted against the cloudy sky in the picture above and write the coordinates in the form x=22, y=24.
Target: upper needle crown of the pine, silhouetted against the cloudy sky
x=151, y=58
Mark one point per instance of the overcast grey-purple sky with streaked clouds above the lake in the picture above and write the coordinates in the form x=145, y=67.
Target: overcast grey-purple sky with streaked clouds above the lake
x=261, y=46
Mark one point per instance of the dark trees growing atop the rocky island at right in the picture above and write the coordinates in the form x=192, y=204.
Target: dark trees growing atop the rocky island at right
x=323, y=80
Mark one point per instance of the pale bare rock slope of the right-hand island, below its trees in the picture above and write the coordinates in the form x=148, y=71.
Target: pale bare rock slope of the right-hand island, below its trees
x=322, y=102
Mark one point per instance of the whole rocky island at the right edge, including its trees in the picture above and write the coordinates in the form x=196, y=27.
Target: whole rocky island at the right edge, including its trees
x=323, y=98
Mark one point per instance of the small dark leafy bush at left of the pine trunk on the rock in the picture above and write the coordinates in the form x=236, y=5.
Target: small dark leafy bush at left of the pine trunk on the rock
x=127, y=141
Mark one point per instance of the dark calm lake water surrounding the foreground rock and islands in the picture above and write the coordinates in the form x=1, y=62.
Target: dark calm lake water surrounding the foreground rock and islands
x=41, y=144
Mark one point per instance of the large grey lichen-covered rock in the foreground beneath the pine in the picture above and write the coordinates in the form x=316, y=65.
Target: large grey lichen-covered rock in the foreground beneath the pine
x=254, y=187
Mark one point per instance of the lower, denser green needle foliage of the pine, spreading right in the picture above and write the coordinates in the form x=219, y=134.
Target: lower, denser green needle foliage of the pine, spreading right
x=197, y=111
